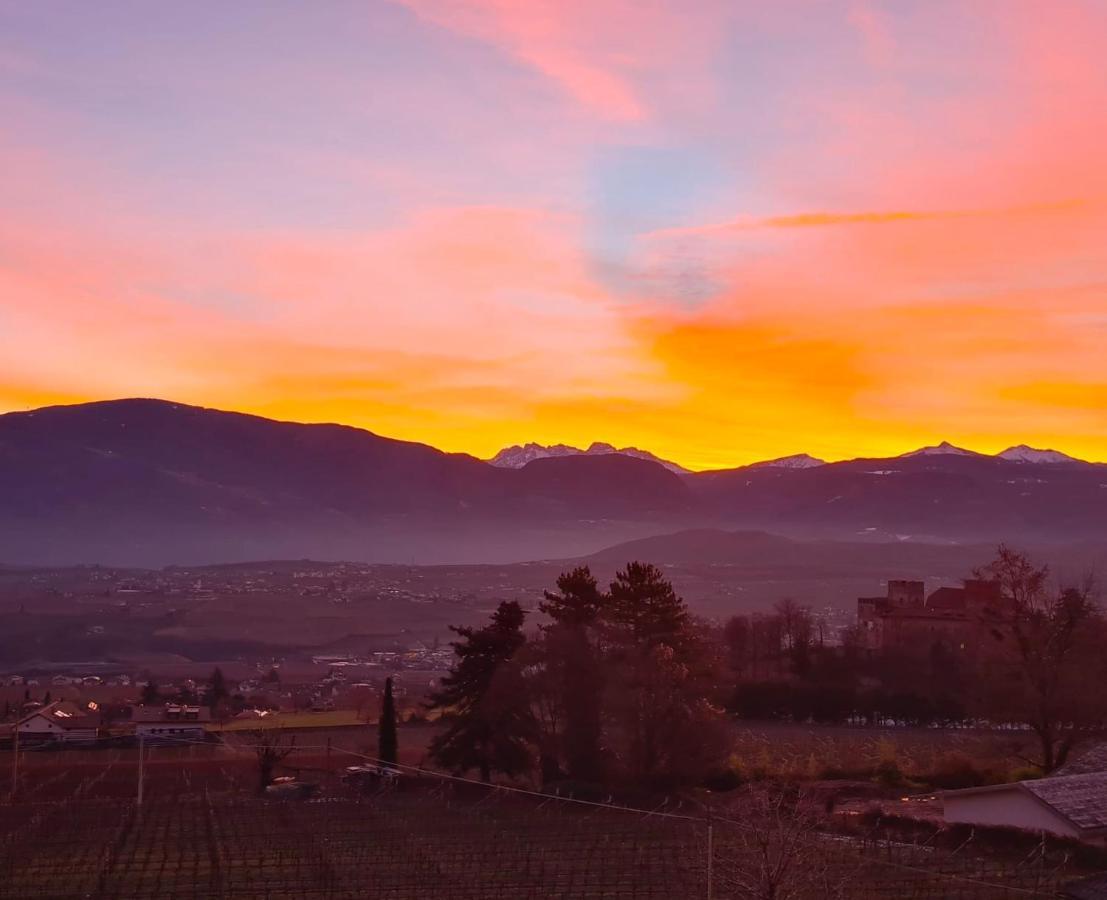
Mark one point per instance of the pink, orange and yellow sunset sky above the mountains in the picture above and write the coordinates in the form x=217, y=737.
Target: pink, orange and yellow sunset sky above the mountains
x=725, y=232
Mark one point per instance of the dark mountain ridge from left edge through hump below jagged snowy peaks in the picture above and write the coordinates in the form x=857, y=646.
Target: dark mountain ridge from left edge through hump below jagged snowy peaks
x=152, y=482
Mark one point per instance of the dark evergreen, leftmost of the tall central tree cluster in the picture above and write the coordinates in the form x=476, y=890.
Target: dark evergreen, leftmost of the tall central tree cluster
x=485, y=696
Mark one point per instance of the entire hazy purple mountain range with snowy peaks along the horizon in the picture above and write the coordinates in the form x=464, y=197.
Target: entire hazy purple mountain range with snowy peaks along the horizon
x=148, y=482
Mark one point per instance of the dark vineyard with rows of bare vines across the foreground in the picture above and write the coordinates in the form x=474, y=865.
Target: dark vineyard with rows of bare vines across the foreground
x=202, y=833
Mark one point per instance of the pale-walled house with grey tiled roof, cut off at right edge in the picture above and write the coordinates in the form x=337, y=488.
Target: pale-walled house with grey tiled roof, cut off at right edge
x=1073, y=806
